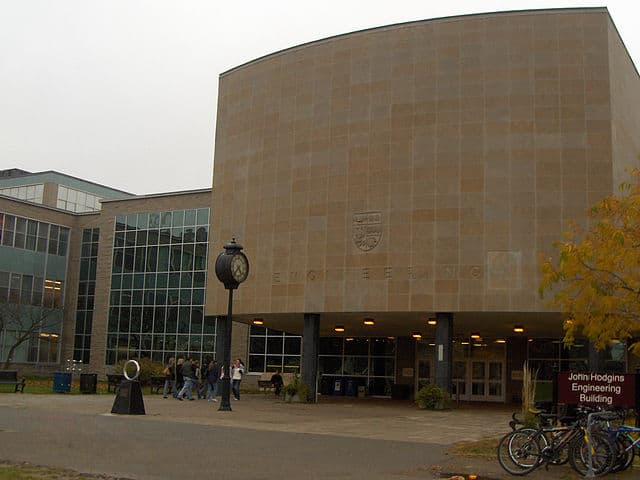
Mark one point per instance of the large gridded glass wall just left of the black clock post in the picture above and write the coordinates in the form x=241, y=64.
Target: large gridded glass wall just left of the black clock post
x=158, y=283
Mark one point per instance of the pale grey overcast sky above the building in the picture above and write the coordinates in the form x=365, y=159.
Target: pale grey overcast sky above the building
x=123, y=93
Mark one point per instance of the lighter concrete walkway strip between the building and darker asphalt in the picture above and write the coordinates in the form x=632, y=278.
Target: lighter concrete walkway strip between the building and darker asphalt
x=343, y=416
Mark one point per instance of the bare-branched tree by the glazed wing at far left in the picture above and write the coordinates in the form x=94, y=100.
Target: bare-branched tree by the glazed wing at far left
x=20, y=323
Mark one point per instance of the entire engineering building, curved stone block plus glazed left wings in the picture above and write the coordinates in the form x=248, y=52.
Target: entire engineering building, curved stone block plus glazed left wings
x=393, y=190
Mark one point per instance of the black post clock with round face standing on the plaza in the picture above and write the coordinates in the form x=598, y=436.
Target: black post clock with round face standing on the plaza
x=232, y=268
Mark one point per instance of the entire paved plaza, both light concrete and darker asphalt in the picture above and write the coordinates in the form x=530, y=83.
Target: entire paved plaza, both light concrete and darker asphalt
x=338, y=438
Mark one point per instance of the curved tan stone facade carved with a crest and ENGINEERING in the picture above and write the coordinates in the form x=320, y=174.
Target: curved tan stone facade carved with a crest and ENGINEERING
x=414, y=168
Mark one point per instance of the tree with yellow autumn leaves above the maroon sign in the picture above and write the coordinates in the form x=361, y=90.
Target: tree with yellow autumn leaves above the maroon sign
x=595, y=279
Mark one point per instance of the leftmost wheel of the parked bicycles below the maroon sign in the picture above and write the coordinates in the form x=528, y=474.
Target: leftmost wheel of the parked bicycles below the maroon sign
x=519, y=452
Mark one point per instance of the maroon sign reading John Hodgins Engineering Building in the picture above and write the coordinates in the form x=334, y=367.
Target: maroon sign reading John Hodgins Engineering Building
x=610, y=389
